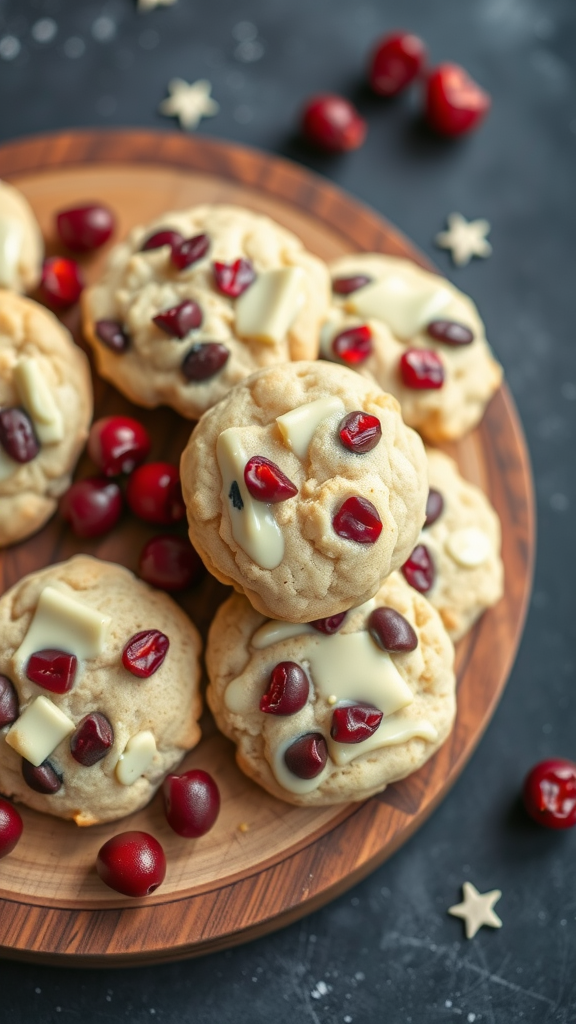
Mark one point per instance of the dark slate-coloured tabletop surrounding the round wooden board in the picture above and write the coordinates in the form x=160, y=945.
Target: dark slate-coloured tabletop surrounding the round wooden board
x=387, y=952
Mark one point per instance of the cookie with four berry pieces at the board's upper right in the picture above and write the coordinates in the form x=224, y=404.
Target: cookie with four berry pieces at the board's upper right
x=421, y=338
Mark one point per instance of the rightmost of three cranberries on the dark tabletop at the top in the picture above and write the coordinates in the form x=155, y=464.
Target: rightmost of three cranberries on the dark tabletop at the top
x=456, y=104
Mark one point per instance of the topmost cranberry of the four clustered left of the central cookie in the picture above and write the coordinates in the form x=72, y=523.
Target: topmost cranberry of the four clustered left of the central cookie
x=117, y=445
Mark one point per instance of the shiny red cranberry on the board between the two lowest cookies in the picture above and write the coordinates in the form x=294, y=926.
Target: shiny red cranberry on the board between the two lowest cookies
x=192, y=803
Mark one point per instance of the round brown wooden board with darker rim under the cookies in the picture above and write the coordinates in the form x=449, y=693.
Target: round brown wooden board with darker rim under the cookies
x=265, y=864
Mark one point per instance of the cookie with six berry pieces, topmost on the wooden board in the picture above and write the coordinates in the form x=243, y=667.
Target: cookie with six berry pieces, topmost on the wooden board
x=246, y=295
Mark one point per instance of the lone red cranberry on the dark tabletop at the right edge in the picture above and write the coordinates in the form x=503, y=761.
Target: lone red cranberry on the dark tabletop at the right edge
x=550, y=794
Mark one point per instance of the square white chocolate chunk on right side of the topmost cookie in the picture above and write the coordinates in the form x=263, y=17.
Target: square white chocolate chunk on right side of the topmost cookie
x=266, y=311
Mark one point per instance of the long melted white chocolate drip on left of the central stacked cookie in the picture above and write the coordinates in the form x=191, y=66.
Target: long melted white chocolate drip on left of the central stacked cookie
x=254, y=527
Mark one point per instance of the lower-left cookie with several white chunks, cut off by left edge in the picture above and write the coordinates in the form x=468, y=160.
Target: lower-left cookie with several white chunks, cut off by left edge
x=94, y=735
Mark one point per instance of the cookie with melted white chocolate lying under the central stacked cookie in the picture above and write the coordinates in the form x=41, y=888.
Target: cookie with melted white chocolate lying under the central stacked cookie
x=323, y=715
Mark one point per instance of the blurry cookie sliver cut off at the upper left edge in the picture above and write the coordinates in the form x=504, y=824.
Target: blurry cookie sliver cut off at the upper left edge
x=22, y=247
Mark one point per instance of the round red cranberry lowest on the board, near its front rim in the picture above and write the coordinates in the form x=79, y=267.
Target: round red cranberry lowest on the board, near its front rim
x=134, y=864
